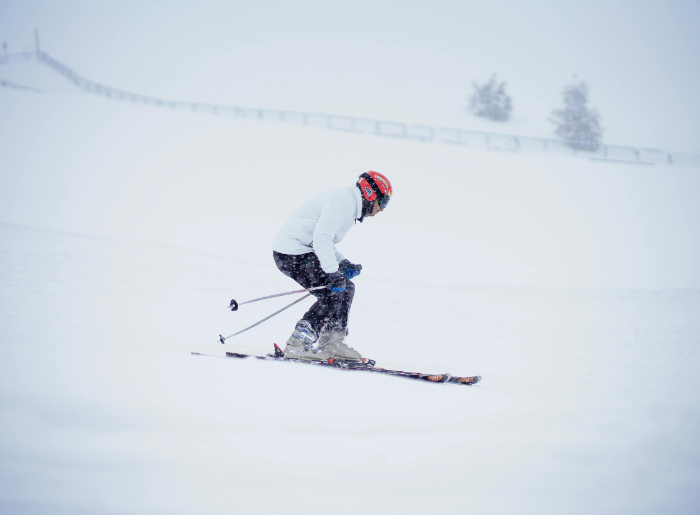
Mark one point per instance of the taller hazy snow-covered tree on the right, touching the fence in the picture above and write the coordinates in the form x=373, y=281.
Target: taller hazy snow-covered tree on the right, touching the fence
x=577, y=124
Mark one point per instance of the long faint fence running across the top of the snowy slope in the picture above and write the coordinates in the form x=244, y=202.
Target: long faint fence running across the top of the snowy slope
x=487, y=140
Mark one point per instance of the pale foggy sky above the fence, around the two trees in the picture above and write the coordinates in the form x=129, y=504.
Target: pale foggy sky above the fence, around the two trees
x=405, y=61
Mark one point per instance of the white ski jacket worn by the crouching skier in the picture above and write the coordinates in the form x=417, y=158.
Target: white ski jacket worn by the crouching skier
x=319, y=224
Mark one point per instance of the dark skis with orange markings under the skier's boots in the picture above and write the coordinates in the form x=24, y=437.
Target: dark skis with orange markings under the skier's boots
x=366, y=365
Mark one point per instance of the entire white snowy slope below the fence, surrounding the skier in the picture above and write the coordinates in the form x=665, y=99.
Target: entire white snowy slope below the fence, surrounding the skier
x=570, y=285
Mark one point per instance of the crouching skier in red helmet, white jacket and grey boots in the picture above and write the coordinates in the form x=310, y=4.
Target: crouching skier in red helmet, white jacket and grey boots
x=304, y=250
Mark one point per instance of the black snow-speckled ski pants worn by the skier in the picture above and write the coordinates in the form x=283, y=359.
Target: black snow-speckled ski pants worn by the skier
x=331, y=310
